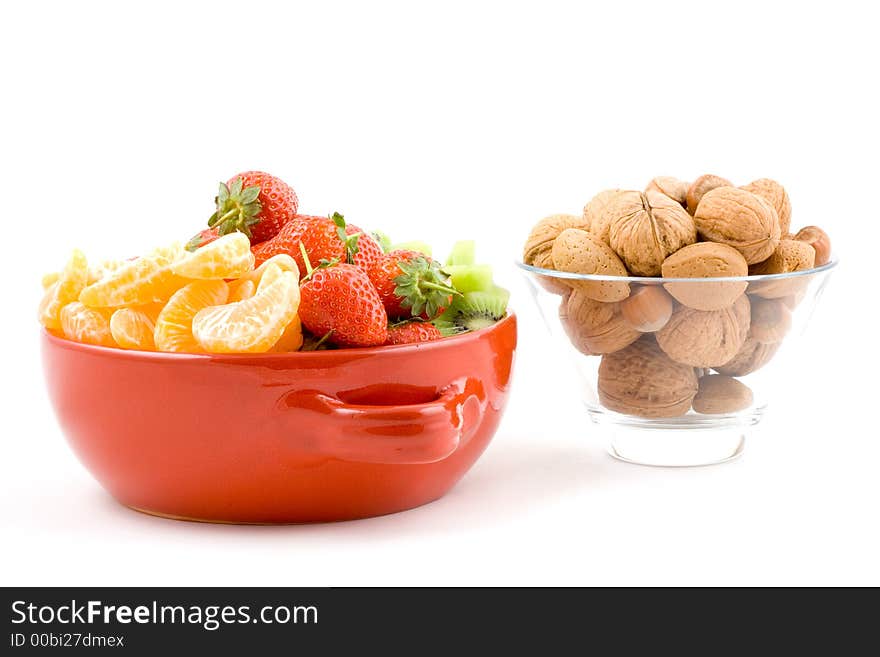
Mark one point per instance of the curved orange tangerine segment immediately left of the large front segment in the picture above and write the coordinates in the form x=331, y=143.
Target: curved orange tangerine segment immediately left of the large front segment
x=174, y=326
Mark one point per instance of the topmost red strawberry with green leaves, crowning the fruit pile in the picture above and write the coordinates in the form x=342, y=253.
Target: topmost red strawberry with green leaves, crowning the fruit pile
x=254, y=203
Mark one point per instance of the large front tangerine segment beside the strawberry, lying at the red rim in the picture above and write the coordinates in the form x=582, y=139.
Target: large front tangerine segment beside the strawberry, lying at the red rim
x=250, y=326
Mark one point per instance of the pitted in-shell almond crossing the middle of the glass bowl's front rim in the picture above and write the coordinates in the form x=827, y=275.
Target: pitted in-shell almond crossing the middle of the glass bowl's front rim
x=706, y=260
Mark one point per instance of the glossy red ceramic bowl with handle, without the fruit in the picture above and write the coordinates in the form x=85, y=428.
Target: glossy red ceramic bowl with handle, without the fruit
x=272, y=438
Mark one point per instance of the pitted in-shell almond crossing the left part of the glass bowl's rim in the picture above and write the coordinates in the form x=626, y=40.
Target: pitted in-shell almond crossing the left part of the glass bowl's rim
x=579, y=252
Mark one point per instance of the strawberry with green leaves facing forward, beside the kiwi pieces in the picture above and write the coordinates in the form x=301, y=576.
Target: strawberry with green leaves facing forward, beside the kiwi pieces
x=411, y=284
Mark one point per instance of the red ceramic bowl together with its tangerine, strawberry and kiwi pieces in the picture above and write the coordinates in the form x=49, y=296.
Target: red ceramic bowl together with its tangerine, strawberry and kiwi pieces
x=279, y=368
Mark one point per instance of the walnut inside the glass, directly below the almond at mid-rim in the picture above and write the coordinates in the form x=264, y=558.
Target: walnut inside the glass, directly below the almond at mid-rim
x=705, y=338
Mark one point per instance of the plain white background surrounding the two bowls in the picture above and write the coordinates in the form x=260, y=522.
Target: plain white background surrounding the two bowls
x=456, y=120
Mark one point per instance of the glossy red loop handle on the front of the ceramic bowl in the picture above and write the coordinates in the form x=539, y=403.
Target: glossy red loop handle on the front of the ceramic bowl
x=404, y=434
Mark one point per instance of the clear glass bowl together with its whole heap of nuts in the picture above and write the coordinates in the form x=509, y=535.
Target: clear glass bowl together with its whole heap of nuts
x=675, y=298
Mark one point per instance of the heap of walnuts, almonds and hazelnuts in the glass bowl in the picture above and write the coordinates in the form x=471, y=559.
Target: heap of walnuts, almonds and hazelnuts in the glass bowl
x=659, y=341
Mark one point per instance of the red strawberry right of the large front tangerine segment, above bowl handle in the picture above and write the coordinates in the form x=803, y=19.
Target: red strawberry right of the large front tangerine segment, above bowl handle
x=340, y=300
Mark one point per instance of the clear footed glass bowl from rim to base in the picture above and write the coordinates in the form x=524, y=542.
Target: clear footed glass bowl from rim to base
x=676, y=371
